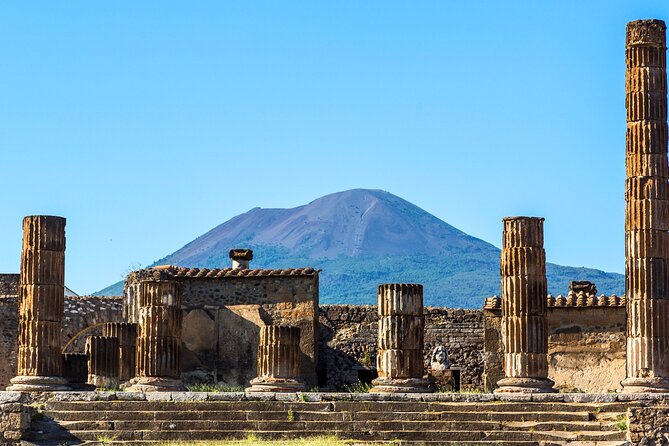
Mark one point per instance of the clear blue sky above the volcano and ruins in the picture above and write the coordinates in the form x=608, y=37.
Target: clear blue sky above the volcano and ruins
x=148, y=123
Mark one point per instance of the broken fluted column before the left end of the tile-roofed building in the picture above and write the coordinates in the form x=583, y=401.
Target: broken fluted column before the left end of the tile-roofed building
x=158, y=358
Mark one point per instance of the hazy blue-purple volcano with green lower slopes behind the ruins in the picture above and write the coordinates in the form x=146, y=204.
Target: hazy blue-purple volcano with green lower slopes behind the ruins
x=361, y=238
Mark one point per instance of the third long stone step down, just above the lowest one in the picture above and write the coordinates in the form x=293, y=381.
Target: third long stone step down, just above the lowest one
x=318, y=426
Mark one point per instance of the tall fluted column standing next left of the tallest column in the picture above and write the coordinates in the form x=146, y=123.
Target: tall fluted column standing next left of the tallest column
x=524, y=324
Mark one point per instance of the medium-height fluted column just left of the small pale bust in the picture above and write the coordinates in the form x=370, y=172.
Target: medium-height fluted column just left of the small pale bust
x=399, y=361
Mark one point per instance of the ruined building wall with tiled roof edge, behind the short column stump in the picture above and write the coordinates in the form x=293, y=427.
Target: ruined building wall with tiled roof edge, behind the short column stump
x=224, y=310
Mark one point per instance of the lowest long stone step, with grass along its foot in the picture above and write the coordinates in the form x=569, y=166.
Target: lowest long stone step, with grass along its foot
x=414, y=435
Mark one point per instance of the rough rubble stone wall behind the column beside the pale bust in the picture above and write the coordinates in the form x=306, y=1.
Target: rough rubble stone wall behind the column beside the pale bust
x=348, y=340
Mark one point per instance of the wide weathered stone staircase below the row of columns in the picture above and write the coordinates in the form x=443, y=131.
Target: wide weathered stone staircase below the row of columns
x=408, y=421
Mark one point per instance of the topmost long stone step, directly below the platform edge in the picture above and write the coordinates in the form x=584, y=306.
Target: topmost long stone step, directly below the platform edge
x=357, y=406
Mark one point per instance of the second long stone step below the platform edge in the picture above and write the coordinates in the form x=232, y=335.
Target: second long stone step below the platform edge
x=214, y=415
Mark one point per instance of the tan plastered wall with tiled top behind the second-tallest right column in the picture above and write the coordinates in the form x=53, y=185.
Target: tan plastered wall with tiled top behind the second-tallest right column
x=586, y=344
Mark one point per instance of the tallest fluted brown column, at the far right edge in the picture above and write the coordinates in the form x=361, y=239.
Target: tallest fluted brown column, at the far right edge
x=647, y=209
